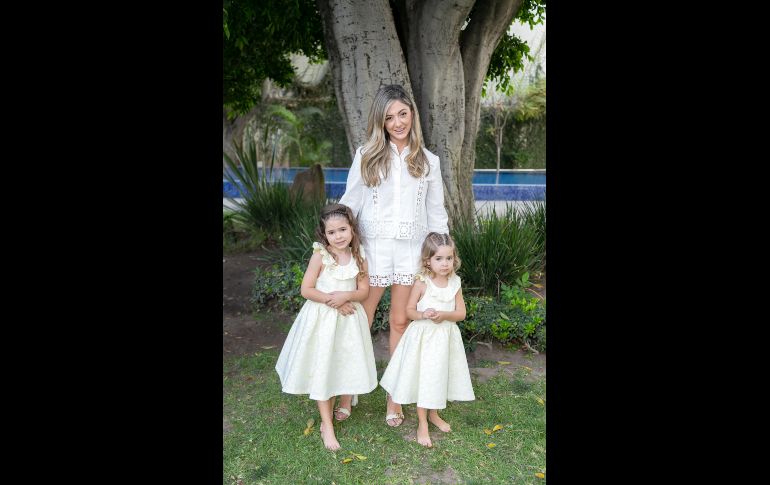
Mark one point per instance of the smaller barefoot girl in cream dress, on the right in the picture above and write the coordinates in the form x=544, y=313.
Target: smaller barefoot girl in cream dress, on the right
x=429, y=366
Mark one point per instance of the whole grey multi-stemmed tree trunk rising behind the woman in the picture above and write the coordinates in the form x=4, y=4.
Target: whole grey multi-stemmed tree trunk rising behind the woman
x=446, y=65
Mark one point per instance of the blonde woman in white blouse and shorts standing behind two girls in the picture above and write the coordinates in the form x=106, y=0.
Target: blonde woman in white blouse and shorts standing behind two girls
x=394, y=188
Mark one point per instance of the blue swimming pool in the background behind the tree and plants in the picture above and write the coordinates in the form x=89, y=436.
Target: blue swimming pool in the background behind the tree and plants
x=487, y=184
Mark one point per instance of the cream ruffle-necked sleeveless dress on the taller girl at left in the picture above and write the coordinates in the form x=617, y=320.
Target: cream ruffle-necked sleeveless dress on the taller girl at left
x=327, y=354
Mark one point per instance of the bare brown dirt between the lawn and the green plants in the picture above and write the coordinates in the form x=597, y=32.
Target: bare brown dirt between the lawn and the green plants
x=243, y=334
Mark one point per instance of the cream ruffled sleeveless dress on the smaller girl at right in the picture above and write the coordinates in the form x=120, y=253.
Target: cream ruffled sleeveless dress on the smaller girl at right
x=429, y=365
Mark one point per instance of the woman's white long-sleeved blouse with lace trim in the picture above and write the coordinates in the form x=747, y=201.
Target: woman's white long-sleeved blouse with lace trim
x=402, y=206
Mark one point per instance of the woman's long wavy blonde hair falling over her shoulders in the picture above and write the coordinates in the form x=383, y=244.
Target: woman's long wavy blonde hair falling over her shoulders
x=375, y=157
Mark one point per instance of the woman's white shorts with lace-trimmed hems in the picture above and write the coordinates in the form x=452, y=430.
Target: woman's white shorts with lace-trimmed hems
x=392, y=261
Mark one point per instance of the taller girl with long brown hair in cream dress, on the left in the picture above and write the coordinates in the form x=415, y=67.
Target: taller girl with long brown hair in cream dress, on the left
x=328, y=351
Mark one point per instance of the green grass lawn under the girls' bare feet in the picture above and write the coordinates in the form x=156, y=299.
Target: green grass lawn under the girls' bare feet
x=264, y=442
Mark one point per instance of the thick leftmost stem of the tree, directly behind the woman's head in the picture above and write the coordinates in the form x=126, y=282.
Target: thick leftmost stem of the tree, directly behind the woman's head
x=364, y=53
